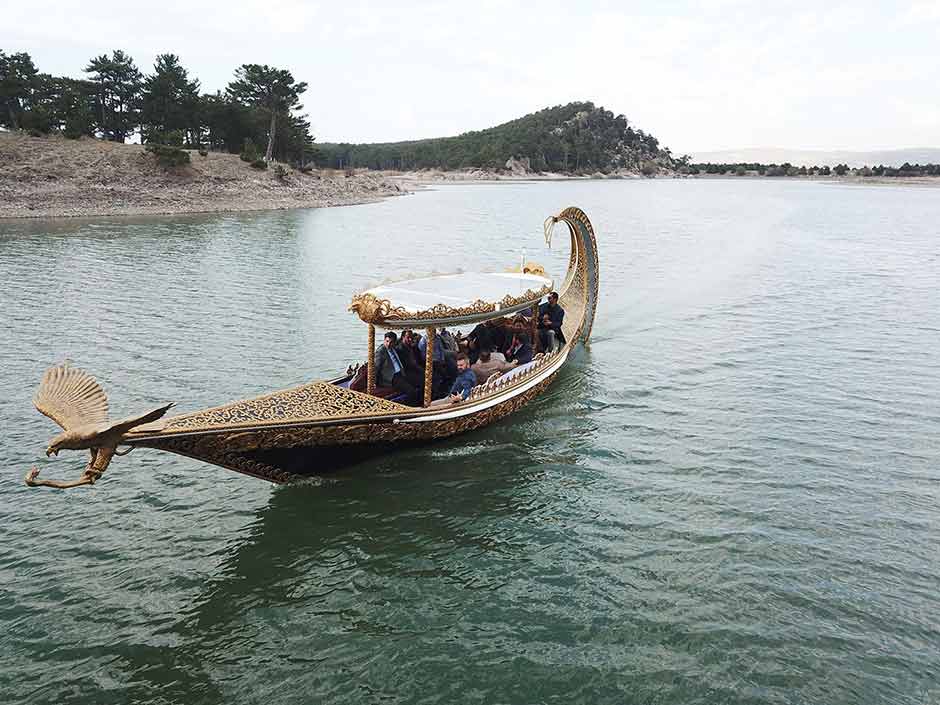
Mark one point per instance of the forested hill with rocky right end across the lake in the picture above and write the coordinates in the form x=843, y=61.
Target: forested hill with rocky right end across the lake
x=572, y=138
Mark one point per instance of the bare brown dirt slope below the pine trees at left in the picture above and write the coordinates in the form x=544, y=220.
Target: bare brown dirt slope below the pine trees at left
x=54, y=176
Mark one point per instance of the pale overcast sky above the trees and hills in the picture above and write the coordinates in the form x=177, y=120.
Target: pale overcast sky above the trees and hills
x=699, y=75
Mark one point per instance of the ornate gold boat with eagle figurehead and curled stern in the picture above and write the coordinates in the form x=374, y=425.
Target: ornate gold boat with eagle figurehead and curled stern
x=310, y=428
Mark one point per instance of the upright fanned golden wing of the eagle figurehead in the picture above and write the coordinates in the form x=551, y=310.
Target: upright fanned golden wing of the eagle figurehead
x=71, y=397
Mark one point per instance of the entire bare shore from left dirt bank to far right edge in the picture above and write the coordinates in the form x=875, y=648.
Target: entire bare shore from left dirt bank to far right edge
x=55, y=178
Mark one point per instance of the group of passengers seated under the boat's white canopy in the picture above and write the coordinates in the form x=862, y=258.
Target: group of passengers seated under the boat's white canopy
x=461, y=363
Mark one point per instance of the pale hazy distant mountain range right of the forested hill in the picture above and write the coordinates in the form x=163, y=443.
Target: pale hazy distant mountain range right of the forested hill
x=810, y=157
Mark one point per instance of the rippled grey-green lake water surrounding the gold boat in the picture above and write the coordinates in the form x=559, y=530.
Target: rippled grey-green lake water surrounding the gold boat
x=731, y=496
